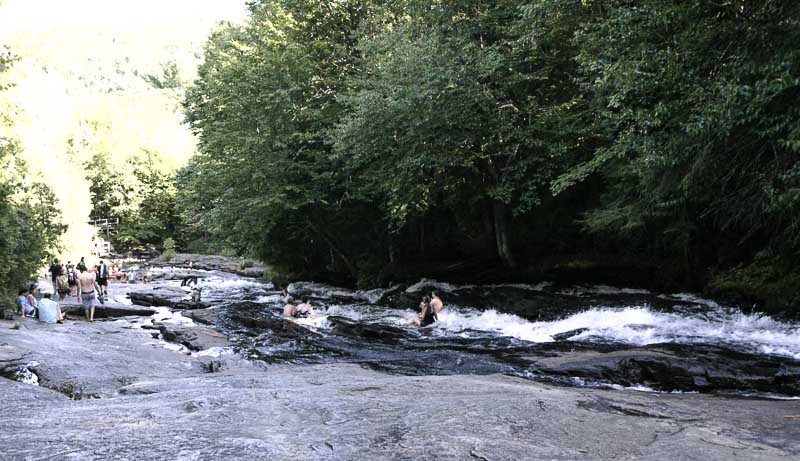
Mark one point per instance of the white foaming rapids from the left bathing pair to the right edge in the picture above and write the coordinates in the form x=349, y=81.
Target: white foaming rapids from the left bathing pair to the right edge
x=705, y=322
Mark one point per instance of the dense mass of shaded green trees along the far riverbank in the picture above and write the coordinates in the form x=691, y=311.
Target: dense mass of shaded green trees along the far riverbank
x=368, y=140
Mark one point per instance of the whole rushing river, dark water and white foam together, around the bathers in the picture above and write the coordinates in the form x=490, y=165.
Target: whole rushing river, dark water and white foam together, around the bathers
x=508, y=329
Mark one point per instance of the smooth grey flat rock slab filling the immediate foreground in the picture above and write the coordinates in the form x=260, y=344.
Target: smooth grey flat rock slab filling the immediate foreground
x=345, y=412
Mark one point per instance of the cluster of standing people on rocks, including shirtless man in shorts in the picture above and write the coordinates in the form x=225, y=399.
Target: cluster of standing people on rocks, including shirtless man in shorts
x=88, y=284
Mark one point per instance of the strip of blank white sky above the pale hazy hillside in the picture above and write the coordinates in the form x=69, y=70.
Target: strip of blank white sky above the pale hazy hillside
x=33, y=15
